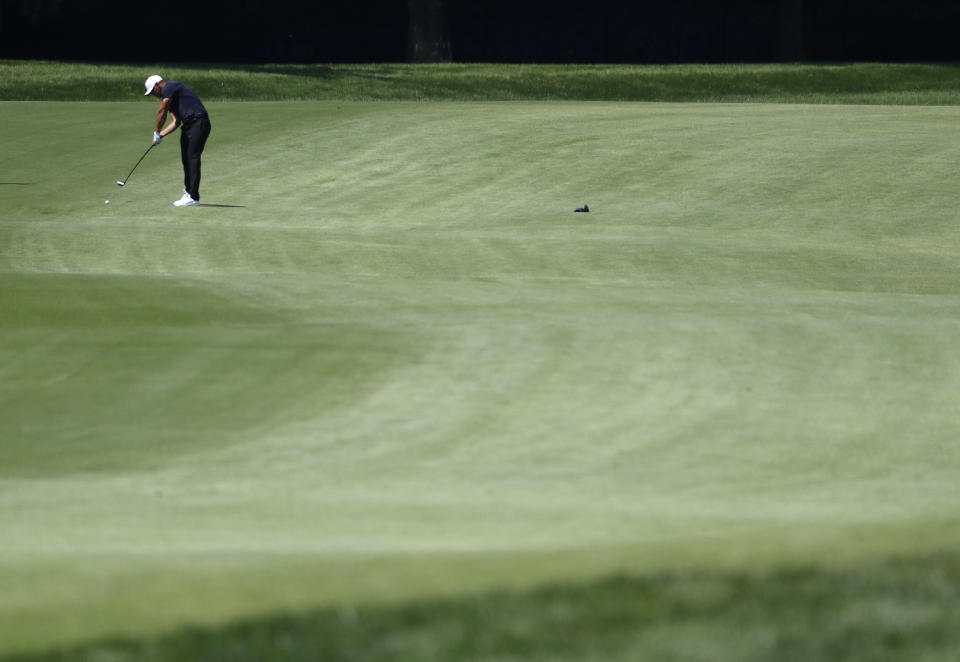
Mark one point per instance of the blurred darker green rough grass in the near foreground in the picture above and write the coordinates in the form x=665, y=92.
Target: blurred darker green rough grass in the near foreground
x=893, y=611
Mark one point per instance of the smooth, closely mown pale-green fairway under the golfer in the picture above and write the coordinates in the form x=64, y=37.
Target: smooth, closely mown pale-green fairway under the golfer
x=386, y=361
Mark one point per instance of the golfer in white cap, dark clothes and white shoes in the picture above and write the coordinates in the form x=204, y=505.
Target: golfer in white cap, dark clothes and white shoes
x=186, y=112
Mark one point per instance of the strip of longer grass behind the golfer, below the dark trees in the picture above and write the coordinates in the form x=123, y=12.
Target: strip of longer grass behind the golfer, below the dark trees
x=854, y=83
